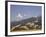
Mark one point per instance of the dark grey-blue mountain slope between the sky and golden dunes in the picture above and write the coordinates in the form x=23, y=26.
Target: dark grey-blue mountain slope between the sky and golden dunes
x=32, y=19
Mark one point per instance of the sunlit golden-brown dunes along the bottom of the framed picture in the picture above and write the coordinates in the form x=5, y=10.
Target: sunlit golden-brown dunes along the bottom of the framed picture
x=26, y=27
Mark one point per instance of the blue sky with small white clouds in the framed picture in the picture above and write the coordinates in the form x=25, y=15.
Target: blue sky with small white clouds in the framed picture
x=21, y=12
